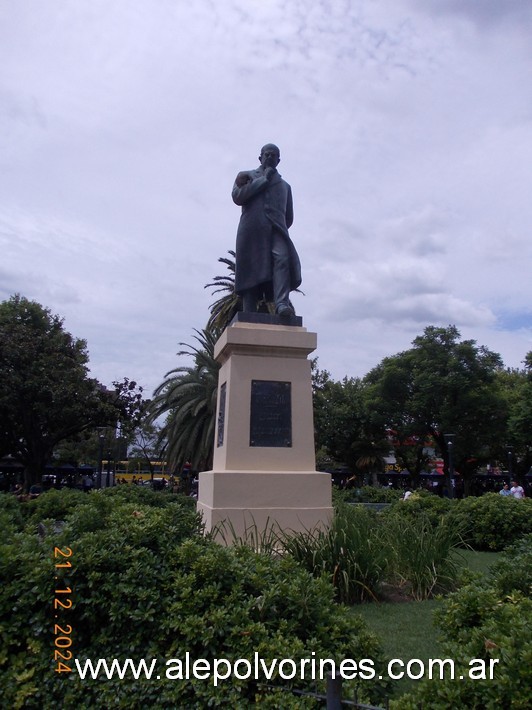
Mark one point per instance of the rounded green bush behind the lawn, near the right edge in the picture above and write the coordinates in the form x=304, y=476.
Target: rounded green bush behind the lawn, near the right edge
x=494, y=521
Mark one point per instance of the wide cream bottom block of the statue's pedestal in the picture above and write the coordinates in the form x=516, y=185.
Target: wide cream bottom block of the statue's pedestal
x=240, y=504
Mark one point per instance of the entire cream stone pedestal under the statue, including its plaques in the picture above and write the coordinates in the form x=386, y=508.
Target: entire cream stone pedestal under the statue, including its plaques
x=264, y=465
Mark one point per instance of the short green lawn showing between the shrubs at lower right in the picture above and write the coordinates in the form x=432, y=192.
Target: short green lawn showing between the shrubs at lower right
x=406, y=628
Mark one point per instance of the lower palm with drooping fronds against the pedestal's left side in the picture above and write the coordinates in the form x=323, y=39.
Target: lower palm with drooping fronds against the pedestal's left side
x=188, y=398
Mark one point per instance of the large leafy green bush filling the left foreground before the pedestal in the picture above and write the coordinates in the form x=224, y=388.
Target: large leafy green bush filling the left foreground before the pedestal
x=147, y=585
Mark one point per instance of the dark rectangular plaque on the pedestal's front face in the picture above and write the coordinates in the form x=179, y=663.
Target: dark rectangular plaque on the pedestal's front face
x=271, y=413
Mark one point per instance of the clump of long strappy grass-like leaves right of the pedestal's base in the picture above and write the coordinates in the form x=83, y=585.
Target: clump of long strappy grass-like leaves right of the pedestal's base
x=404, y=547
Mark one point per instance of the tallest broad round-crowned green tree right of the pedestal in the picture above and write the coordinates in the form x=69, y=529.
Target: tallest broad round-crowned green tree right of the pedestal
x=441, y=385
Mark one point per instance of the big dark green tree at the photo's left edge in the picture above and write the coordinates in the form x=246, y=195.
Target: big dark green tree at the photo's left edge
x=46, y=395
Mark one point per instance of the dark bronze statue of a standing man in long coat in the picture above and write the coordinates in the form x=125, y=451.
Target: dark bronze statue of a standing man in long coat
x=267, y=264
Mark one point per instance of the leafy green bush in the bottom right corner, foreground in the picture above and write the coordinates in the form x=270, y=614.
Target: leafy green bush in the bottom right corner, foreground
x=485, y=620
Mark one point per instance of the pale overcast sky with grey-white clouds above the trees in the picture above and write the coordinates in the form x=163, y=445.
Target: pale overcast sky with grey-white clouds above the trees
x=405, y=129
